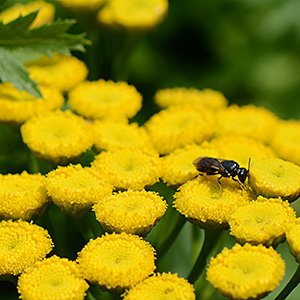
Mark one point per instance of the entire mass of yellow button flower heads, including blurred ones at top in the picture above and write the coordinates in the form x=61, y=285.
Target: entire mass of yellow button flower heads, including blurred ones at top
x=123, y=183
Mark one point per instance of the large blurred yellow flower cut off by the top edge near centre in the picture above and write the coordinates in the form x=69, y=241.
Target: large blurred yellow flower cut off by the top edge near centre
x=133, y=14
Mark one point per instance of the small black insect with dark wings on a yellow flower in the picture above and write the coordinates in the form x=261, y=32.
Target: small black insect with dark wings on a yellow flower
x=226, y=168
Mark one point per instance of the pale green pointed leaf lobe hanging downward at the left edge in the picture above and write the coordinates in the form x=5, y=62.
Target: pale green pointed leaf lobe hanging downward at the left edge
x=13, y=71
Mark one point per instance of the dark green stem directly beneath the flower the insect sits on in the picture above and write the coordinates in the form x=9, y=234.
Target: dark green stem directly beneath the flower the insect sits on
x=210, y=239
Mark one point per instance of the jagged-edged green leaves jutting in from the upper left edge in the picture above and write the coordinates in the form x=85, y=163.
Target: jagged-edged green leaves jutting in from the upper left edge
x=16, y=38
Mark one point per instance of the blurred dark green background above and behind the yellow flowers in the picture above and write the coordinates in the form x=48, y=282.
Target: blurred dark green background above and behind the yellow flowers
x=248, y=49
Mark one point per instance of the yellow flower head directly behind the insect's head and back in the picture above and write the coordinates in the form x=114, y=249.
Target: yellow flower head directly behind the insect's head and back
x=241, y=148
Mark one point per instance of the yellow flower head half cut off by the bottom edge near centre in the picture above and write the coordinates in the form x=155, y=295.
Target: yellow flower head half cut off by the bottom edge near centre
x=165, y=286
